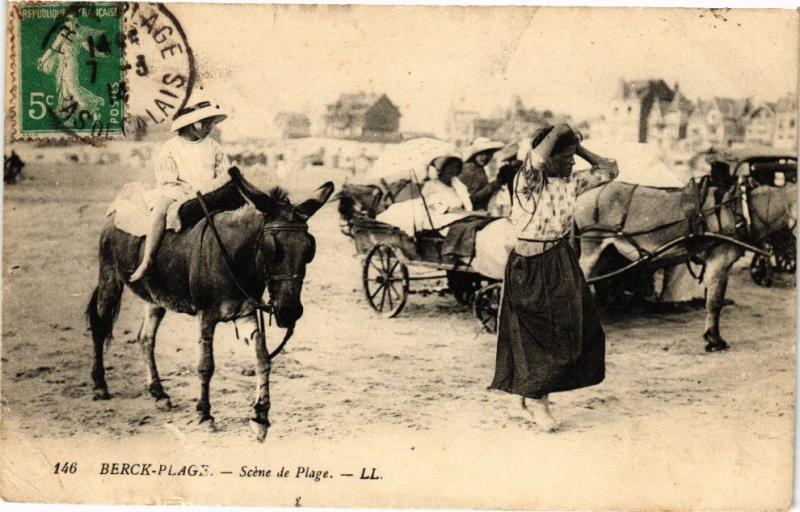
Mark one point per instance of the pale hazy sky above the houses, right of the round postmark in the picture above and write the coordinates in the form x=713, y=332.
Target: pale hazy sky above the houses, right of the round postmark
x=258, y=60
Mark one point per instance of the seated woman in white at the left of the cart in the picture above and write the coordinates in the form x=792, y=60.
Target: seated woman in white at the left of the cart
x=444, y=200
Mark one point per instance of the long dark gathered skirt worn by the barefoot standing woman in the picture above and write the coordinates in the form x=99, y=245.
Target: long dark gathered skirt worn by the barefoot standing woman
x=549, y=334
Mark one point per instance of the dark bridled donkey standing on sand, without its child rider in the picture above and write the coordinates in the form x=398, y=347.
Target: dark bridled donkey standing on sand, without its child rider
x=269, y=245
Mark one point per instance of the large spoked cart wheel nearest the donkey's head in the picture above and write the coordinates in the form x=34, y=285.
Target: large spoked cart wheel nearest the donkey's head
x=385, y=280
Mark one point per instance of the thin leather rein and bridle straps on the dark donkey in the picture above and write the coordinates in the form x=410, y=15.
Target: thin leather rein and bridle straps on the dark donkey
x=261, y=307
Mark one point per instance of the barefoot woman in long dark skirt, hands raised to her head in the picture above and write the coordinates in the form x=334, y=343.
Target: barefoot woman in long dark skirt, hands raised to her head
x=549, y=334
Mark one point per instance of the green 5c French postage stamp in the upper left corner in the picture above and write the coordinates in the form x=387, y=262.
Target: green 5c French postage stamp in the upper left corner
x=69, y=67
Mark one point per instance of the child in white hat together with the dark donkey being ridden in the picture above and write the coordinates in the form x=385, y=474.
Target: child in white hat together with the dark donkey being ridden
x=216, y=268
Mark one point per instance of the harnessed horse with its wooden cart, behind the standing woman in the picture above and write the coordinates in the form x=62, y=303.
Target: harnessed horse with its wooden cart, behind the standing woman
x=711, y=223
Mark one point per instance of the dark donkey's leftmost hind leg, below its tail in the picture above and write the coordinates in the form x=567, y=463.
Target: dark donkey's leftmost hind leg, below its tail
x=101, y=312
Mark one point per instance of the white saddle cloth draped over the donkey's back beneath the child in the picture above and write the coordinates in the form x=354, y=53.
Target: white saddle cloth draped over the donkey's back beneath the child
x=132, y=210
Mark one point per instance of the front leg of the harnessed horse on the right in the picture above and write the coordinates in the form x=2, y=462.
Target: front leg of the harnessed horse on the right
x=718, y=266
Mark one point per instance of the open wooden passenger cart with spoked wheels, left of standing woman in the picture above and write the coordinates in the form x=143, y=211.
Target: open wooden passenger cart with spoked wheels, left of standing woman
x=389, y=255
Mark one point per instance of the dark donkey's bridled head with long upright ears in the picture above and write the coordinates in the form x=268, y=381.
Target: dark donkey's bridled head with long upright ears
x=286, y=247
